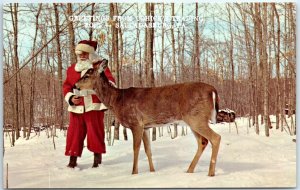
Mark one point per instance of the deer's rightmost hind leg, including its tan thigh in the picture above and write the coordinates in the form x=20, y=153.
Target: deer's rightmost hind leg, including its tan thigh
x=200, y=126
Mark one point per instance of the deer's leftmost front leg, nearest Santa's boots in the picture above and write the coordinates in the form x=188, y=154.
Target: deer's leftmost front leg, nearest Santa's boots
x=137, y=139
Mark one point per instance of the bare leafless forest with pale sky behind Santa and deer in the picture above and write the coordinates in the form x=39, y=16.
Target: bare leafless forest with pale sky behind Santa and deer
x=247, y=51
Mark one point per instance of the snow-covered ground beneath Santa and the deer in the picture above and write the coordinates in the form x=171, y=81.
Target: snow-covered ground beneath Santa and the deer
x=244, y=160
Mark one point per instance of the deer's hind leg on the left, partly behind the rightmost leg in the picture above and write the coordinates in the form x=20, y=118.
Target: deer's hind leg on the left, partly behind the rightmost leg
x=202, y=143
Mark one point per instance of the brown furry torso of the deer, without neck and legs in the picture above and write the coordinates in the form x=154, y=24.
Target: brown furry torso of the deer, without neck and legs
x=163, y=104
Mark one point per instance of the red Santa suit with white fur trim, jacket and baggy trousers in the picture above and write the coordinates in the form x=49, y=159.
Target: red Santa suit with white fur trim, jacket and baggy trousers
x=86, y=119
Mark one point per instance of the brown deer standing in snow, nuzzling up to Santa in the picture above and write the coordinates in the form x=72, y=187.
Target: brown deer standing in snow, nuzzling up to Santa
x=140, y=109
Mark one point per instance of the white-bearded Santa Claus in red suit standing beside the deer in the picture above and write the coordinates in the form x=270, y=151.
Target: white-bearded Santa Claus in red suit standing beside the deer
x=86, y=109
